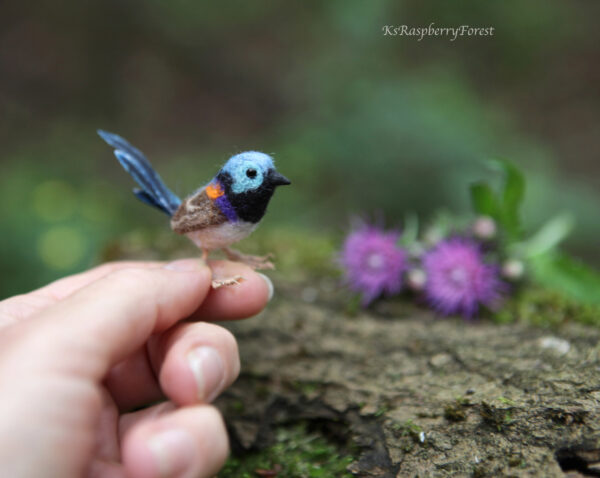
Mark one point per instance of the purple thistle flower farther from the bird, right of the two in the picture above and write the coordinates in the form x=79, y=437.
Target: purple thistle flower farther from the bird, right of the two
x=458, y=279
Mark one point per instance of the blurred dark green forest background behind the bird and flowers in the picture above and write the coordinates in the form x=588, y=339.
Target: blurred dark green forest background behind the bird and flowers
x=359, y=121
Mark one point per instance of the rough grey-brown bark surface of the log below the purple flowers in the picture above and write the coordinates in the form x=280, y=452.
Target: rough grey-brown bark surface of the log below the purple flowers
x=409, y=394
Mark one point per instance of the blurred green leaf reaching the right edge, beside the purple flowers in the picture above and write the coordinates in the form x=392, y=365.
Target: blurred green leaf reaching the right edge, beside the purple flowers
x=567, y=275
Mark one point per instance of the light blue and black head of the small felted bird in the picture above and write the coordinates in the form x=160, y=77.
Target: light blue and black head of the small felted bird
x=250, y=180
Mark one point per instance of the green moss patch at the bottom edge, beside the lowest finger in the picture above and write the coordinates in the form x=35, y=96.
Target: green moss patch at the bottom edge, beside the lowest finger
x=296, y=453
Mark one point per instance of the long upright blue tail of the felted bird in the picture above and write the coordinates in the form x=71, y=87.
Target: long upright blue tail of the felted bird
x=154, y=192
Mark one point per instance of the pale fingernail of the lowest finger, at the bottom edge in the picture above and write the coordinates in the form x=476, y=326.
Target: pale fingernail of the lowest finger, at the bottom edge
x=173, y=451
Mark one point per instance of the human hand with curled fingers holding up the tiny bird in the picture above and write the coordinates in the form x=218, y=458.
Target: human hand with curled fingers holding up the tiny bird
x=79, y=355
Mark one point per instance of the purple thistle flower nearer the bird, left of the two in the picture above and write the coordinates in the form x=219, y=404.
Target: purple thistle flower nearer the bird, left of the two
x=373, y=263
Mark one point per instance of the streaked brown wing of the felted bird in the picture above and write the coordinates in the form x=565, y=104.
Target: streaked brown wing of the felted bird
x=197, y=212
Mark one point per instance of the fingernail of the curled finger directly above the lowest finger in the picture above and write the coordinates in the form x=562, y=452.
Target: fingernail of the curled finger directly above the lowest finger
x=207, y=366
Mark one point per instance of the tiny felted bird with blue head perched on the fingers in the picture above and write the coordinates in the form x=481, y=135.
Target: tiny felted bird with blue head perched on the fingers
x=218, y=214
